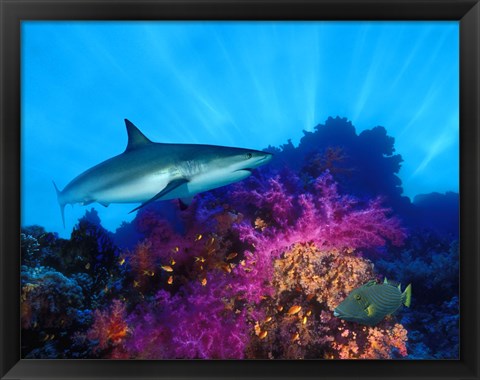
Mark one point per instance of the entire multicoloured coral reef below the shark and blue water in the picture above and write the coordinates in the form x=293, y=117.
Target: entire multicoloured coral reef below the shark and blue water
x=253, y=270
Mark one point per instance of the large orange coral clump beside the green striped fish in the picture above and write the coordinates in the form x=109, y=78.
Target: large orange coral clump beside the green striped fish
x=309, y=283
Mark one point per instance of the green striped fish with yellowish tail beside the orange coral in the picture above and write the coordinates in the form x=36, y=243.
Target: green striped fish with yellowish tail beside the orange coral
x=371, y=302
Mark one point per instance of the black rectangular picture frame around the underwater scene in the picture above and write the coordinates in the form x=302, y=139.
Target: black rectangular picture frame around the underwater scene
x=467, y=12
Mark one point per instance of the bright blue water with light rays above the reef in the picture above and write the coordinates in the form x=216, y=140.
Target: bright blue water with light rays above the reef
x=245, y=84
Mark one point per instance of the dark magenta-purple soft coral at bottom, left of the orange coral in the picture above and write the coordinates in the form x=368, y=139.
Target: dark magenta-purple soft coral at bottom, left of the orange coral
x=199, y=325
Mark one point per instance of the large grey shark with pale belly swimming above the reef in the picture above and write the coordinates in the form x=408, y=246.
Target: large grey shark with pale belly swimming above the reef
x=147, y=171
